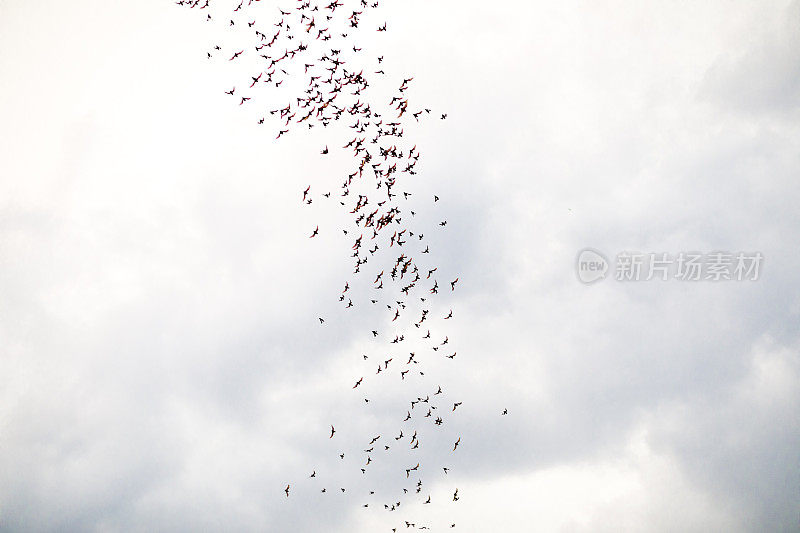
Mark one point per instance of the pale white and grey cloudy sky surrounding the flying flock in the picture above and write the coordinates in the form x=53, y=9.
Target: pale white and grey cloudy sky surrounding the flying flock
x=161, y=367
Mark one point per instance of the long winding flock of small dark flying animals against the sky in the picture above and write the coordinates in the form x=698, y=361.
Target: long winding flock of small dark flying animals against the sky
x=305, y=57
